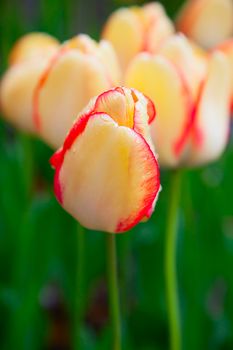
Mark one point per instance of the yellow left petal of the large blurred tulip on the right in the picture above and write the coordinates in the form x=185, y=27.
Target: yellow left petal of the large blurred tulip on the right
x=156, y=77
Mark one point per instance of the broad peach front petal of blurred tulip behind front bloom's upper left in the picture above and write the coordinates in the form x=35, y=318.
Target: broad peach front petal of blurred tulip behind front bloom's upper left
x=64, y=90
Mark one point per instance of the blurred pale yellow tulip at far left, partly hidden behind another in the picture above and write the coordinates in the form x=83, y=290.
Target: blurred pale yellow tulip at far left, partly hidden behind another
x=28, y=59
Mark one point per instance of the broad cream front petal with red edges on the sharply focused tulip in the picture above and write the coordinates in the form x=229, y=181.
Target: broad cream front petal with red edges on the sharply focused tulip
x=108, y=178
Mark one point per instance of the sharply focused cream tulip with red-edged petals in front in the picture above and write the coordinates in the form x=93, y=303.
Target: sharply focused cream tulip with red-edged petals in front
x=106, y=173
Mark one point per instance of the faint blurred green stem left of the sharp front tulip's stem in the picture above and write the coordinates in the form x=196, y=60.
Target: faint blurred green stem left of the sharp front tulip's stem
x=79, y=286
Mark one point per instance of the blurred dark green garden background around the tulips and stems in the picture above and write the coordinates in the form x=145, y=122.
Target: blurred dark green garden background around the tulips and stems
x=39, y=245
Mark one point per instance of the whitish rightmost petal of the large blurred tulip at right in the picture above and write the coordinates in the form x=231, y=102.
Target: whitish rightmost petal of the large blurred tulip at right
x=212, y=121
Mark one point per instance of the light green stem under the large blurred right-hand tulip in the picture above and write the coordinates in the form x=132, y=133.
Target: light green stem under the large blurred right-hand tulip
x=170, y=262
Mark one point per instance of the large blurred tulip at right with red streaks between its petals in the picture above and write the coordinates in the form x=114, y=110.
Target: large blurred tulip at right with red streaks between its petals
x=191, y=92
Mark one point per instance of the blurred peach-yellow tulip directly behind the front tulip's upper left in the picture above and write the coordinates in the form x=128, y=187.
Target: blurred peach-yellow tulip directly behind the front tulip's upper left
x=81, y=69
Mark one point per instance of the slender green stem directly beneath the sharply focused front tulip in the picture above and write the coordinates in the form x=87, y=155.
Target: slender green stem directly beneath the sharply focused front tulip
x=113, y=290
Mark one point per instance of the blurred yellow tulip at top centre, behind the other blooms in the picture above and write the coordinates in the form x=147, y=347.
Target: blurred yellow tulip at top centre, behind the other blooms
x=135, y=29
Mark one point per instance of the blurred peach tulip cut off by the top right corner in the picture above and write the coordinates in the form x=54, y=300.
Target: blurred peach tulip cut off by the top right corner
x=207, y=22
